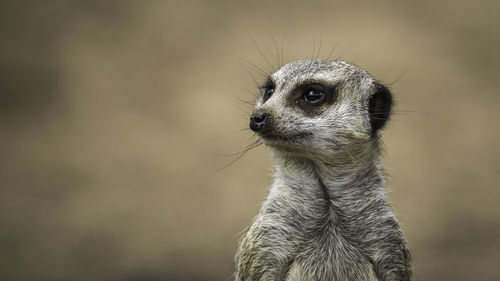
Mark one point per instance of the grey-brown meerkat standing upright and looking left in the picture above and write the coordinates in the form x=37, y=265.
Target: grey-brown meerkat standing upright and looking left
x=326, y=216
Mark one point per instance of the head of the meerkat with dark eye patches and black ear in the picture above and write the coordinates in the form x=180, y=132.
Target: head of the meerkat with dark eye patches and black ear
x=321, y=108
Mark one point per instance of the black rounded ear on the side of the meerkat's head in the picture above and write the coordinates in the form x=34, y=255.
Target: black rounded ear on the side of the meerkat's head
x=379, y=107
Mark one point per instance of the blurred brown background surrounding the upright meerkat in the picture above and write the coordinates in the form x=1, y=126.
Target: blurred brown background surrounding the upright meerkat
x=111, y=113
